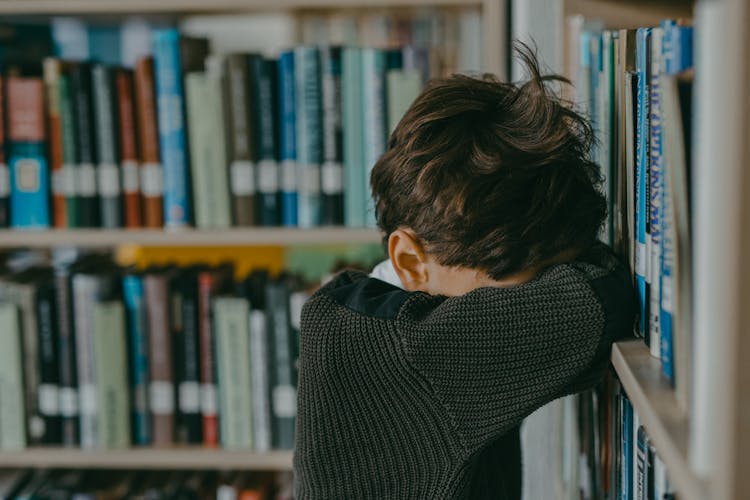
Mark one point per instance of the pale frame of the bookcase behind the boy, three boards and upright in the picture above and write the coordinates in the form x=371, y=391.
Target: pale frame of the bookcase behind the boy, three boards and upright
x=493, y=22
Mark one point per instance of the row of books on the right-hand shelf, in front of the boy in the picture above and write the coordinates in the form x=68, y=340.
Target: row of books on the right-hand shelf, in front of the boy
x=636, y=85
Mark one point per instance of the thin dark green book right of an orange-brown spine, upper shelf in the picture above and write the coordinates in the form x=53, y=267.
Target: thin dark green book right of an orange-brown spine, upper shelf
x=68, y=126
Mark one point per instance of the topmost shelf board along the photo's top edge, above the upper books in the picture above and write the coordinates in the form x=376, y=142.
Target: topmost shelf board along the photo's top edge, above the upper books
x=202, y=6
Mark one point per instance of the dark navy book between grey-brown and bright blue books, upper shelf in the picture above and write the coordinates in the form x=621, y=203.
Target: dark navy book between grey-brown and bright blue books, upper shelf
x=264, y=95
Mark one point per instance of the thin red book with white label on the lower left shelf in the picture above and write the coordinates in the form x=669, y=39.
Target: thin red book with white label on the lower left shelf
x=209, y=394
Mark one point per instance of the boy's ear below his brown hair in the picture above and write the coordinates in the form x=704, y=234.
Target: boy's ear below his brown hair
x=409, y=259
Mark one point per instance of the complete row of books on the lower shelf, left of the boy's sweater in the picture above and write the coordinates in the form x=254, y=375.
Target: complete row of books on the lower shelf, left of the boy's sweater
x=99, y=356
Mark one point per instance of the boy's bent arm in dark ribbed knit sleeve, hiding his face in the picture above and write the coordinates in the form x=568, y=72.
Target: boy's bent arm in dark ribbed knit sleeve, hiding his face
x=495, y=355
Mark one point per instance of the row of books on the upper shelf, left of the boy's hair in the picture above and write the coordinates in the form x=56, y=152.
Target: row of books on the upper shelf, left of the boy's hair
x=190, y=136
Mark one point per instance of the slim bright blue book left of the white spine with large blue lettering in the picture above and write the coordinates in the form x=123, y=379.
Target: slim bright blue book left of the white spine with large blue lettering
x=643, y=36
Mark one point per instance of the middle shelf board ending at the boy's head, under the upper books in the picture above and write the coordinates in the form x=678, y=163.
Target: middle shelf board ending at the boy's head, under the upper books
x=255, y=236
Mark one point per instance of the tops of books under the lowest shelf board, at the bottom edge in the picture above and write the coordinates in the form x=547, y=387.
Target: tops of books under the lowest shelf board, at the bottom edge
x=21, y=484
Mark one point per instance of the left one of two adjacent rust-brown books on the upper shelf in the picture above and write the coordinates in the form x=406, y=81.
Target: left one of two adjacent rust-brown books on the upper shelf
x=128, y=149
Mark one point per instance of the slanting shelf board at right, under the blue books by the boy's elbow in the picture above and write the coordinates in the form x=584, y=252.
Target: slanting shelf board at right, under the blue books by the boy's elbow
x=666, y=423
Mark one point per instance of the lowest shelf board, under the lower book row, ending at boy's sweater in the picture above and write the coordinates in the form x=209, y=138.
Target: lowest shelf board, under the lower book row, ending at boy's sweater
x=147, y=458
